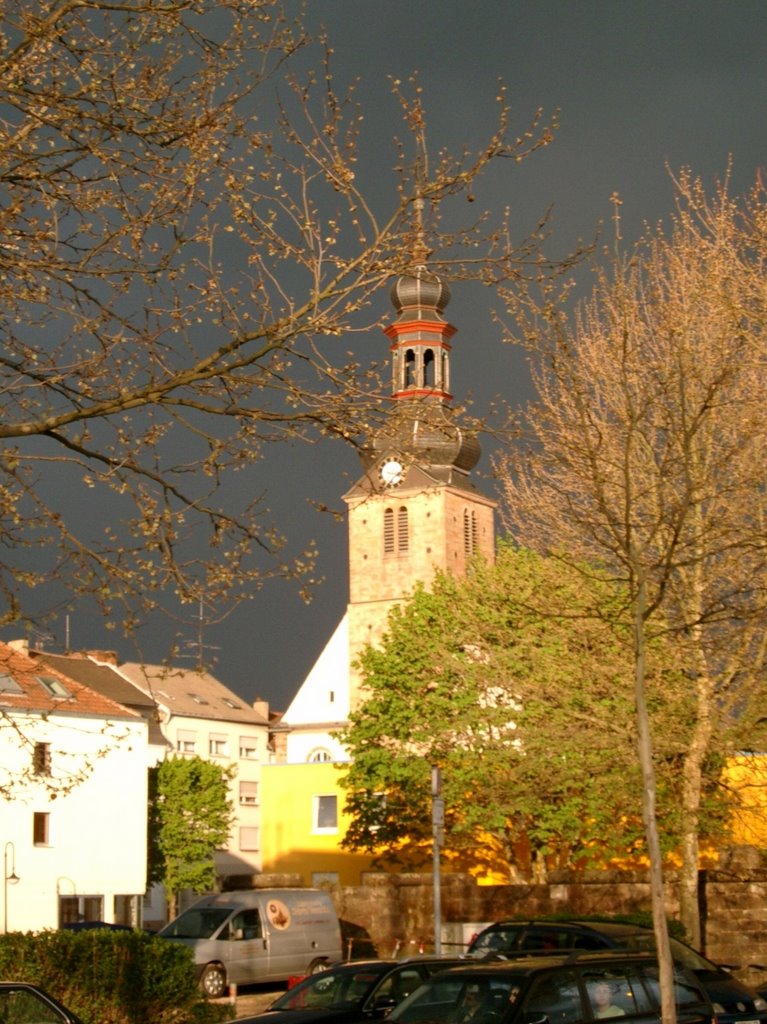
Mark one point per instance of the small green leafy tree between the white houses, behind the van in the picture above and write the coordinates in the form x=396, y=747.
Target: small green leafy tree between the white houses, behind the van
x=190, y=820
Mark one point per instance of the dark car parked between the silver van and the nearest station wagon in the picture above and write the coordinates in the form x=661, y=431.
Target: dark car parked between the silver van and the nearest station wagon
x=353, y=992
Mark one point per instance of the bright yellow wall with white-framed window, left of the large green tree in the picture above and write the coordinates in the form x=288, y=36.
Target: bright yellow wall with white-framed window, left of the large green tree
x=289, y=843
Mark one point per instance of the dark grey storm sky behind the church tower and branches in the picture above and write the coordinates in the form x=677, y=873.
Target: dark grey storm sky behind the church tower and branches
x=641, y=86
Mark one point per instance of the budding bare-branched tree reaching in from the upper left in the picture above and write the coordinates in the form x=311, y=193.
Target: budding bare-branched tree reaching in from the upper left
x=184, y=245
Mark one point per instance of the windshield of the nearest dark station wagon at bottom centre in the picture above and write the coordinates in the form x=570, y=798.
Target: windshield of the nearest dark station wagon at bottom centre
x=459, y=998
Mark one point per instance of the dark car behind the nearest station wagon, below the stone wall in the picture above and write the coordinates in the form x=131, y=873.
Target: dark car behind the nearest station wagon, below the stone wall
x=734, y=1001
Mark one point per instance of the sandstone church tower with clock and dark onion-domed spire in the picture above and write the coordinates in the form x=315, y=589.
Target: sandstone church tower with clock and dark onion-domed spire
x=415, y=511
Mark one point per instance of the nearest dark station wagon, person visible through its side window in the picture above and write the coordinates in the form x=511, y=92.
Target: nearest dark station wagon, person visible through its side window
x=565, y=989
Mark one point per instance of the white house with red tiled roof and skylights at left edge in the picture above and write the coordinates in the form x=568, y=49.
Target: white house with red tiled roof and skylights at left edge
x=73, y=774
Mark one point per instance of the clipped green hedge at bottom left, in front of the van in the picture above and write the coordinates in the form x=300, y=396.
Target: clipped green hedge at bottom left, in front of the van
x=110, y=977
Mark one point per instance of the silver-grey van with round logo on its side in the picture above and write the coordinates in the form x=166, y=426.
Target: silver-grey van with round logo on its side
x=259, y=935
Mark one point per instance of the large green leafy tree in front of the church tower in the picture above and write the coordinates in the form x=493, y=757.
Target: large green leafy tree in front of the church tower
x=524, y=699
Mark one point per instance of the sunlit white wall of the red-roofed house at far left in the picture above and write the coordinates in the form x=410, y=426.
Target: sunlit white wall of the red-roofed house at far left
x=97, y=842
